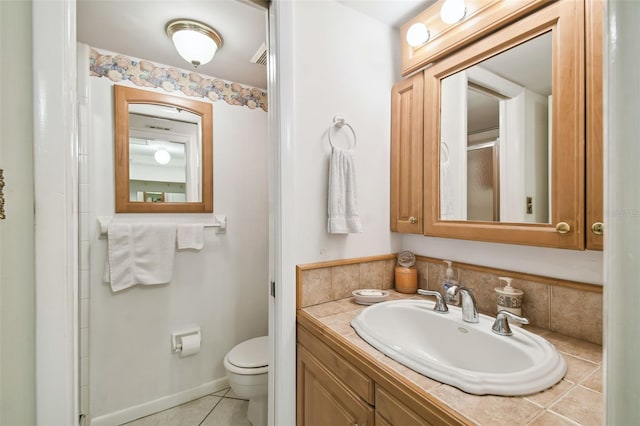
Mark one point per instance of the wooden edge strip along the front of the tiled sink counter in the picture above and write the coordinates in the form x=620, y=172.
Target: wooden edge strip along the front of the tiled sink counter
x=424, y=404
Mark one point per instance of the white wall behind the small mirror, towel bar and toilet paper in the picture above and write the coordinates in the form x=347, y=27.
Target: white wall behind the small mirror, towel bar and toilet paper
x=222, y=288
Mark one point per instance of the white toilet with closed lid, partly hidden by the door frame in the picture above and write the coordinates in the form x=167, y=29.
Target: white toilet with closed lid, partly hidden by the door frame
x=247, y=366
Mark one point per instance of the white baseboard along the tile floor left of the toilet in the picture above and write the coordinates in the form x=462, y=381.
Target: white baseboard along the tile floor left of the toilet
x=157, y=405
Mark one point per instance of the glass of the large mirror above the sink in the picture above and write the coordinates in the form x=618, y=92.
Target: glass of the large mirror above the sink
x=496, y=135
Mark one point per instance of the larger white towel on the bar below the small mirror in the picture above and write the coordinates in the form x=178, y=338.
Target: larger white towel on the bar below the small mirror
x=140, y=254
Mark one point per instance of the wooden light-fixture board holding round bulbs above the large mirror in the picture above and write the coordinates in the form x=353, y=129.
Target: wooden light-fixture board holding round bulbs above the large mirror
x=483, y=17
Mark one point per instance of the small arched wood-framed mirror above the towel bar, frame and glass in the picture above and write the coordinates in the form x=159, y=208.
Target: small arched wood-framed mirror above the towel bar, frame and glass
x=163, y=153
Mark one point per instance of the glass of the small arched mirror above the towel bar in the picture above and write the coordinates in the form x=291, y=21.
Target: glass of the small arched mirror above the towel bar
x=164, y=161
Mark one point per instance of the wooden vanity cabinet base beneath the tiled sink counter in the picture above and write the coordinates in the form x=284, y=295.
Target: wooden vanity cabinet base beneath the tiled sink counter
x=333, y=390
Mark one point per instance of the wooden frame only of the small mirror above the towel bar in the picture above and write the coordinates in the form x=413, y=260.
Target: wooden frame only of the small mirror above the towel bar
x=123, y=96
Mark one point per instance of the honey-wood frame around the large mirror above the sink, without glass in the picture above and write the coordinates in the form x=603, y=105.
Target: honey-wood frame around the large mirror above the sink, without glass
x=566, y=19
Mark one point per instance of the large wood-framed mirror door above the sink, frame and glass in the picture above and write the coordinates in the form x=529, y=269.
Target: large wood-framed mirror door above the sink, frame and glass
x=504, y=134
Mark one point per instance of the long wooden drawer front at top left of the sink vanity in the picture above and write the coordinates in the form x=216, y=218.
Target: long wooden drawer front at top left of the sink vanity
x=357, y=381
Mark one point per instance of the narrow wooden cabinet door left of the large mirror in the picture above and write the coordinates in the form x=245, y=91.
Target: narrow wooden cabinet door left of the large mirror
x=407, y=135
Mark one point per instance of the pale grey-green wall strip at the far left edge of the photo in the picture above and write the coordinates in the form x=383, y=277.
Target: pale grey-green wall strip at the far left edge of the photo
x=17, y=278
